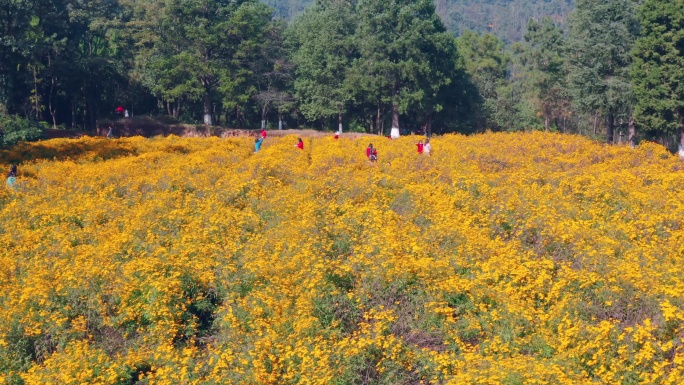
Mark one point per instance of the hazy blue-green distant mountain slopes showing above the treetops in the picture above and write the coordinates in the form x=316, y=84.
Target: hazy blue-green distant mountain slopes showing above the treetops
x=504, y=18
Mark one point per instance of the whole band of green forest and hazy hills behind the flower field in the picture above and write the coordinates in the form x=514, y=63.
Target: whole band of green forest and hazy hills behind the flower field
x=610, y=68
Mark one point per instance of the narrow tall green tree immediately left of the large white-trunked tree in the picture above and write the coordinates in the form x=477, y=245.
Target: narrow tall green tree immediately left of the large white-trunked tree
x=323, y=51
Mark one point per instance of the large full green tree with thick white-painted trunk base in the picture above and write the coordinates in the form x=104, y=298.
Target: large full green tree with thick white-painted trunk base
x=397, y=40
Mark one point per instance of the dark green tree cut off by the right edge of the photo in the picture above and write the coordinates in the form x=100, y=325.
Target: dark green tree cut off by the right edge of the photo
x=658, y=69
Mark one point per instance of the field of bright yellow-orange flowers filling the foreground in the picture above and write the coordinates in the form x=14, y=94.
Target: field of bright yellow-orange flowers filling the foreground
x=502, y=259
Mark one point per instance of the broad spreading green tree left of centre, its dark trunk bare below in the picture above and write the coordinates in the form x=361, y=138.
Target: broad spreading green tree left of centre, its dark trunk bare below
x=201, y=49
